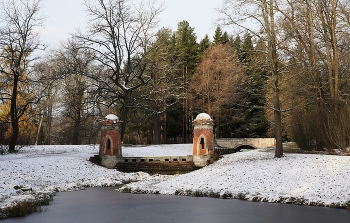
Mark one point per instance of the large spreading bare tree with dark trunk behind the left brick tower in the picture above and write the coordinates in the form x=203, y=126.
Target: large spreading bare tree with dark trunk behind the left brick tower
x=119, y=34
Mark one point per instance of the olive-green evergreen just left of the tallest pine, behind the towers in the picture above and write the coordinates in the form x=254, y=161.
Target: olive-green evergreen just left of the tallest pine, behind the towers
x=165, y=88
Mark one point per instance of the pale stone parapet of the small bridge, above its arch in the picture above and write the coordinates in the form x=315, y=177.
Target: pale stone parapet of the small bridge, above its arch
x=257, y=143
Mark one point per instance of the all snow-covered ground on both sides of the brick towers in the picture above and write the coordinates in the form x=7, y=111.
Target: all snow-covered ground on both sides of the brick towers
x=255, y=175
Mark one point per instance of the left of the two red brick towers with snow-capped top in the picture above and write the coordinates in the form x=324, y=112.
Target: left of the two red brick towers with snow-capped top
x=110, y=143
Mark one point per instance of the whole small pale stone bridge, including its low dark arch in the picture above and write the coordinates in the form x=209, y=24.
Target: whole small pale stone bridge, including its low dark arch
x=232, y=145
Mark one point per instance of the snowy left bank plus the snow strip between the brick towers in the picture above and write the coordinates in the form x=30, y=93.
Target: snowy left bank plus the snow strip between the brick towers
x=47, y=169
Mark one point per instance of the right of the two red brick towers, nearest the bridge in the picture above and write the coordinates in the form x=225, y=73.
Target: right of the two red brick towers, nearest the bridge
x=203, y=139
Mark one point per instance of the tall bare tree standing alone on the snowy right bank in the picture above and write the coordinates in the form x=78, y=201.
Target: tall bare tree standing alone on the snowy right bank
x=242, y=12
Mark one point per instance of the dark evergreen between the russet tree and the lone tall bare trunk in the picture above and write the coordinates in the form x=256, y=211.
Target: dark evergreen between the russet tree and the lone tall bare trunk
x=250, y=113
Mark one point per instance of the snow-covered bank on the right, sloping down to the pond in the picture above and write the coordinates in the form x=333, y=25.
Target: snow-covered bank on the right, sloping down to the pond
x=257, y=175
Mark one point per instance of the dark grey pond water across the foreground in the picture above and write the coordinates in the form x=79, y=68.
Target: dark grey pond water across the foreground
x=106, y=205
